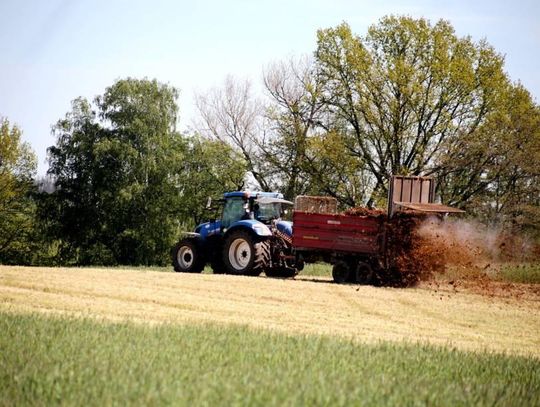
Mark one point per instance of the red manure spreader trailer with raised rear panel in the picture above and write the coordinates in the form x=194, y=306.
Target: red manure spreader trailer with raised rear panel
x=361, y=243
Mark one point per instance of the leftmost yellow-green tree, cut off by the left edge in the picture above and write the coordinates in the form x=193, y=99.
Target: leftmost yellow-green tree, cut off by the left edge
x=17, y=210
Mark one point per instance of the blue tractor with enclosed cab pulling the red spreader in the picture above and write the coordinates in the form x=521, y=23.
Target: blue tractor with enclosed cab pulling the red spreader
x=250, y=238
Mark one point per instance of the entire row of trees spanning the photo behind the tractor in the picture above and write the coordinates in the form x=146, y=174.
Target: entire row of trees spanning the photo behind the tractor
x=407, y=98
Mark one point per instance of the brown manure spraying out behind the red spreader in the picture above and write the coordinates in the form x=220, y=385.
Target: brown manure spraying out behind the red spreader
x=419, y=245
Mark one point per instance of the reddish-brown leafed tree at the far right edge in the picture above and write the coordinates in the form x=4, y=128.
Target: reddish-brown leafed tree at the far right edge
x=496, y=176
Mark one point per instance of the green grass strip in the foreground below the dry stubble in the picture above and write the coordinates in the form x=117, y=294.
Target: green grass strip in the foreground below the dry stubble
x=81, y=362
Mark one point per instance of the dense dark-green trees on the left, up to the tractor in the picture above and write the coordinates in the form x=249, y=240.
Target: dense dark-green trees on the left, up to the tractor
x=126, y=182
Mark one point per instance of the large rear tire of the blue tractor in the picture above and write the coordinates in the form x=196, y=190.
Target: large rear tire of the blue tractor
x=245, y=254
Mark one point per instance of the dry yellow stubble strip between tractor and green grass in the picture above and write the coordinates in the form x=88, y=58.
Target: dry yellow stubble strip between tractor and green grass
x=311, y=305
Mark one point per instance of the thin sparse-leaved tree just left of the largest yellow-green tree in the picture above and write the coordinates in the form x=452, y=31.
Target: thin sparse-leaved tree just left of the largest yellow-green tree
x=304, y=146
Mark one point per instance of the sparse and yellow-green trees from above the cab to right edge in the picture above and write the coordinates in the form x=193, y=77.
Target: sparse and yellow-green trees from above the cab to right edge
x=408, y=98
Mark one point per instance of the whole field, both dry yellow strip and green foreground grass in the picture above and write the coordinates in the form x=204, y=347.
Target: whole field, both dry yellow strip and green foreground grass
x=139, y=336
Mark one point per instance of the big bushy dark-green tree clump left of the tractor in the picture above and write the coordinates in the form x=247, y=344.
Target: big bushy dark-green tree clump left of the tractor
x=125, y=178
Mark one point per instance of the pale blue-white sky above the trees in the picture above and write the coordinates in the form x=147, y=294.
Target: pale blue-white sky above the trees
x=54, y=51
